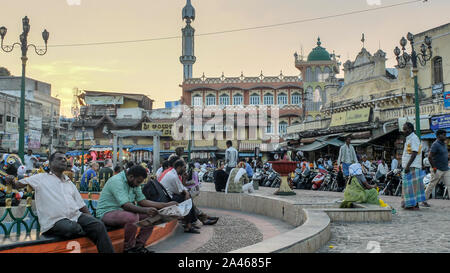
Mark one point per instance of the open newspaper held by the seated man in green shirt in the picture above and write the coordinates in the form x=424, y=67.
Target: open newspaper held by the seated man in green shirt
x=167, y=214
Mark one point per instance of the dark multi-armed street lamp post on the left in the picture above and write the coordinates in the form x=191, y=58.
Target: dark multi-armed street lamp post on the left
x=24, y=47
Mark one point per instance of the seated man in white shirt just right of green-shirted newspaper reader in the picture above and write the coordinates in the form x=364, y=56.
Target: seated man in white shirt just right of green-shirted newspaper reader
x=179, y=193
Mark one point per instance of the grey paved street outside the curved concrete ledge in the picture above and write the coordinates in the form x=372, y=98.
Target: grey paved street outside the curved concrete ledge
x=426, y=230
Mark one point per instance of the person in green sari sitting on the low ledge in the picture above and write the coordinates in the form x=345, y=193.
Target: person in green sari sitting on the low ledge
x=358, y=190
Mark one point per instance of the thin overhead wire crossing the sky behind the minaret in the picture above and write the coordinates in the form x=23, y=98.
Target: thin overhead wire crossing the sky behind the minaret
x=241, y=29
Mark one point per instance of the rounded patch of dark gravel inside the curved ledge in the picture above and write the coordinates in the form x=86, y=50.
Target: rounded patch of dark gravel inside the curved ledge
x=231, y=233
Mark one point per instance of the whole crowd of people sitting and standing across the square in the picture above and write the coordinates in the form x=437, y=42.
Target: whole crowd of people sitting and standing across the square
x=124, y=201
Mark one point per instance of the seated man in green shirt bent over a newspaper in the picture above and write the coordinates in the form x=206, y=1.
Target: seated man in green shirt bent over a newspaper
x=122, y=204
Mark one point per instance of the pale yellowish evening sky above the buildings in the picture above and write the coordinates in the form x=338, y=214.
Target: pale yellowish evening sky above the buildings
x=153, y=68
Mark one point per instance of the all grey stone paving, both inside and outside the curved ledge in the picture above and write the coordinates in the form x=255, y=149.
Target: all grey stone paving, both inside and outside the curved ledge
x=426, y=230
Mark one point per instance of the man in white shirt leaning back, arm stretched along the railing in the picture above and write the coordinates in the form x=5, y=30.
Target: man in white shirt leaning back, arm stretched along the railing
x=61, y=210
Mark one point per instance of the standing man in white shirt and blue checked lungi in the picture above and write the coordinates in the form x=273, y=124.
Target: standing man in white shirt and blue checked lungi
x=413, y=190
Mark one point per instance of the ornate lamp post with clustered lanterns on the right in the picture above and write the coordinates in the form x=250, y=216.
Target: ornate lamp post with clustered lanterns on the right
x=403, y=58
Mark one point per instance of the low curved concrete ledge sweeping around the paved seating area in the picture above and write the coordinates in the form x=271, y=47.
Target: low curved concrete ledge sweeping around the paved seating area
x=312, y=222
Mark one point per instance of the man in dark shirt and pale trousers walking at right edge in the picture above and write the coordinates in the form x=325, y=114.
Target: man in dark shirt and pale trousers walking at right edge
x=438, y=157
